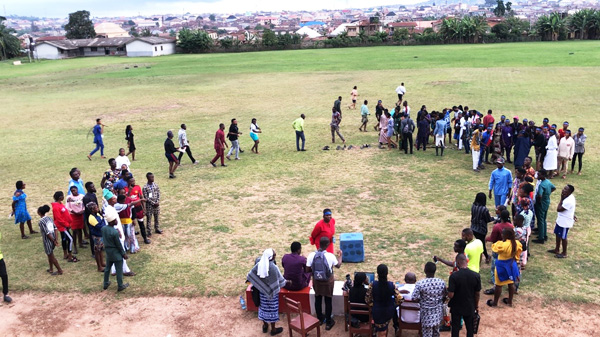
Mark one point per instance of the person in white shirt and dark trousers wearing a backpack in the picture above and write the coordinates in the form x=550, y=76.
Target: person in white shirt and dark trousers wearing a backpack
x=320, y=264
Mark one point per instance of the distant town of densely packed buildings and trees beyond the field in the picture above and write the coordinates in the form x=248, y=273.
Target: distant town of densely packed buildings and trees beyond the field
x=158, y=34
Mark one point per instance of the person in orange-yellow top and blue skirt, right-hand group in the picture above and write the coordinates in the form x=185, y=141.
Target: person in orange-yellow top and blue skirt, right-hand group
x=507, y=269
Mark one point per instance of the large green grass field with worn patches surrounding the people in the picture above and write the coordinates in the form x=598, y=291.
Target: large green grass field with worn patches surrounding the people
x=217, y=221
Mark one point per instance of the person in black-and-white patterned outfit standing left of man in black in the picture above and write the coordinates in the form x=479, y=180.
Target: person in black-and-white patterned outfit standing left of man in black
x=430, y=293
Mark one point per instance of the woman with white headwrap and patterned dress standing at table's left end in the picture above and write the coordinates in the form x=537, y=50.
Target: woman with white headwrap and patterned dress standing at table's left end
x=266, y=277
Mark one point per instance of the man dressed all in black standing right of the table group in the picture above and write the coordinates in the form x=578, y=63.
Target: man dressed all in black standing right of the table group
x=464, y=288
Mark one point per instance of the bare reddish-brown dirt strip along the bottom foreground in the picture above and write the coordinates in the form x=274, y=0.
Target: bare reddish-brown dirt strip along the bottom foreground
x=107, y=314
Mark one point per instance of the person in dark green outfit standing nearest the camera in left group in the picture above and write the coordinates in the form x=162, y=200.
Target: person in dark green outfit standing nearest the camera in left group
x=115, y=254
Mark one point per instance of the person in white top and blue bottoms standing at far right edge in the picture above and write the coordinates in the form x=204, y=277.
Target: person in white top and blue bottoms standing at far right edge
x=564, y=221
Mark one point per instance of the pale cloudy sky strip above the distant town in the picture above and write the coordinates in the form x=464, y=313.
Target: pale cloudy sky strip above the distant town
x=61, y=8
